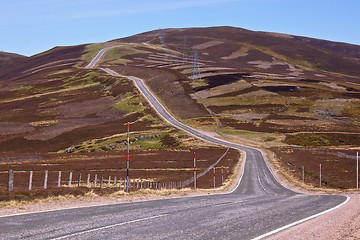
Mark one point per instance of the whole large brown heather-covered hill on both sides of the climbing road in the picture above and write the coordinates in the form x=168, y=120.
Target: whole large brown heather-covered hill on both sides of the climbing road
x=294, y=96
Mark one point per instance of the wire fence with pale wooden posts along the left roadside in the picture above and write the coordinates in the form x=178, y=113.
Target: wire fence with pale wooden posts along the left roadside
x=48, y=180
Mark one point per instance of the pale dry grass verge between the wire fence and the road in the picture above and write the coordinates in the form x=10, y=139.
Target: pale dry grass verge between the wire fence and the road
x=92, y=197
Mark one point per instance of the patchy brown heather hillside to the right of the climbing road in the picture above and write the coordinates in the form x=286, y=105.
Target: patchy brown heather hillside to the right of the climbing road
x=296, y=96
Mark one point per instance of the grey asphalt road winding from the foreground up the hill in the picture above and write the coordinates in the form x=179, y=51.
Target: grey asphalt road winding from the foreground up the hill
x=256, y=208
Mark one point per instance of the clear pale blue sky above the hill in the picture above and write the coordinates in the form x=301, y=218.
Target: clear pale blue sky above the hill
x=32, y=26
